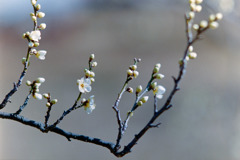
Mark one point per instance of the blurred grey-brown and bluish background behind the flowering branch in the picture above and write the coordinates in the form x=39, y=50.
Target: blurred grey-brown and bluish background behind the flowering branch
x=204, y=122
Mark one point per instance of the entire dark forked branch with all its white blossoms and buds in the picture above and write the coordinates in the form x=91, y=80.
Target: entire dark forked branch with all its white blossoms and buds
x=85, y=85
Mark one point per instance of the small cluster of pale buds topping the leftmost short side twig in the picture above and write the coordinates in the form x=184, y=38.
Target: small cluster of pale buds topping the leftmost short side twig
x=35, y=87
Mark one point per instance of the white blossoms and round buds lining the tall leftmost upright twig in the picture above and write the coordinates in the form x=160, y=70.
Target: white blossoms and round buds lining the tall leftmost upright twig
x=34, y=36
